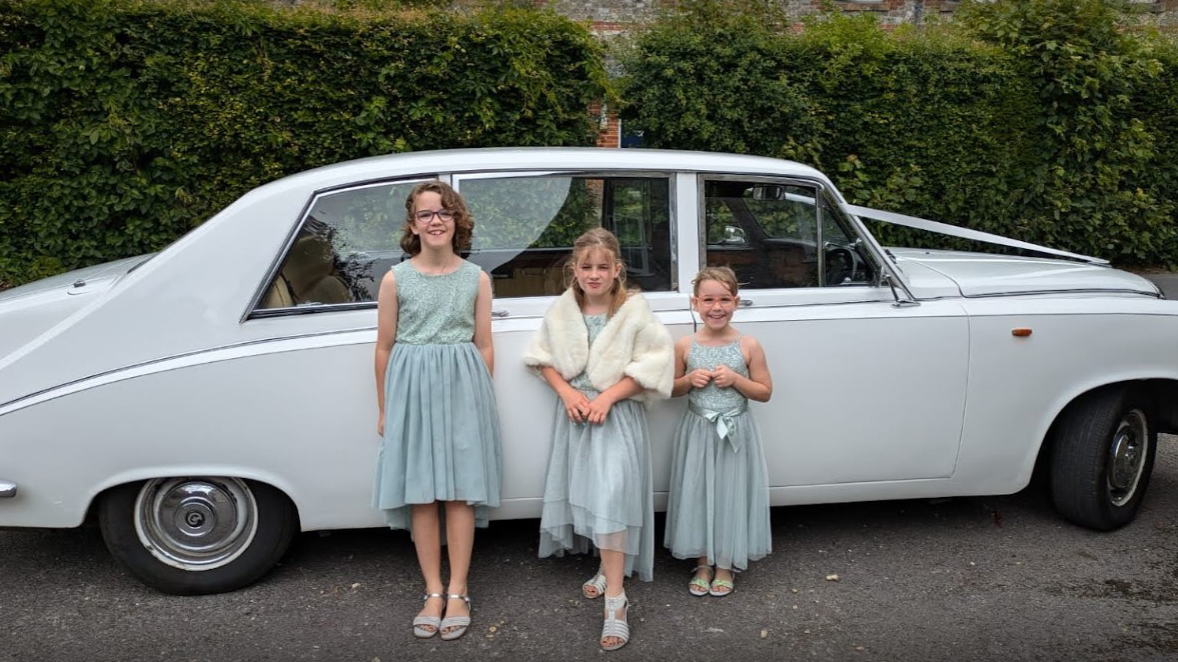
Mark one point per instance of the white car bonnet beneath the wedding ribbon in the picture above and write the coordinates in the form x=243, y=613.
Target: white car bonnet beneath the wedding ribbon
x=983, y=275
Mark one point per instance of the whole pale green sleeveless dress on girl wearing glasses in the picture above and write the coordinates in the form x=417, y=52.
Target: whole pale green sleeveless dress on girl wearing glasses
x=442, y=429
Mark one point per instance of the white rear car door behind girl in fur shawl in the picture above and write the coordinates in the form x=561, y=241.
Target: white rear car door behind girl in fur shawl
x=526, y=224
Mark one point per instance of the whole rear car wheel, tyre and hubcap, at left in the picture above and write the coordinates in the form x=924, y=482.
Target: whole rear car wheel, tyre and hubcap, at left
x=197, y=535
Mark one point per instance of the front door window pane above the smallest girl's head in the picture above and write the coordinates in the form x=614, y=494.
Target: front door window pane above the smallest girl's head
x=765, y=233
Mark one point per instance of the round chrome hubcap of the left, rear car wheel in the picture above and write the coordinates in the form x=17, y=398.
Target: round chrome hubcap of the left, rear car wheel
x=196, y=524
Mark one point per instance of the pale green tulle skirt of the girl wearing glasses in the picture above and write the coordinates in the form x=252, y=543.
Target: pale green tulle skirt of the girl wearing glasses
x=441, y=433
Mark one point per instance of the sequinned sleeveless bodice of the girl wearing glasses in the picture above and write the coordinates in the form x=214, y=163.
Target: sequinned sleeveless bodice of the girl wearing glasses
x=436, y=310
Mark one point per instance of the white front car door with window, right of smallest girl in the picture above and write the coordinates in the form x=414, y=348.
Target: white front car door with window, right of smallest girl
x=864, y=390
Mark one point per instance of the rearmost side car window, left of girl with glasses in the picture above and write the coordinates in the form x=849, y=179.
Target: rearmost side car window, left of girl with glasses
x=346, y=244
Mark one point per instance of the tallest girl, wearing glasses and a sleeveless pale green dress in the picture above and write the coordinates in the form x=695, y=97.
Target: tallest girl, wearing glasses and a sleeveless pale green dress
x=436, y=408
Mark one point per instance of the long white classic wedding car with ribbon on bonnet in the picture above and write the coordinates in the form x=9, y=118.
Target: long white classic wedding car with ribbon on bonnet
x=208, y=402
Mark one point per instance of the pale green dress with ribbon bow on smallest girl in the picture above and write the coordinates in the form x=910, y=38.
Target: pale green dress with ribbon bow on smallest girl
x=719, y=501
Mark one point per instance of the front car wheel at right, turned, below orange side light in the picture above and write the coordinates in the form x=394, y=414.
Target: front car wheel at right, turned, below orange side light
x=1103, y=456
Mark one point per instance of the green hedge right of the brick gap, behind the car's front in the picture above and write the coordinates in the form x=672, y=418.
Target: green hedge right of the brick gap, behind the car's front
x=1038, y=120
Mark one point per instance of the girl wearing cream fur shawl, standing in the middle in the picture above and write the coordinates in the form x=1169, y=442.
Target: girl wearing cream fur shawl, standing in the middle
x=606, y=355
